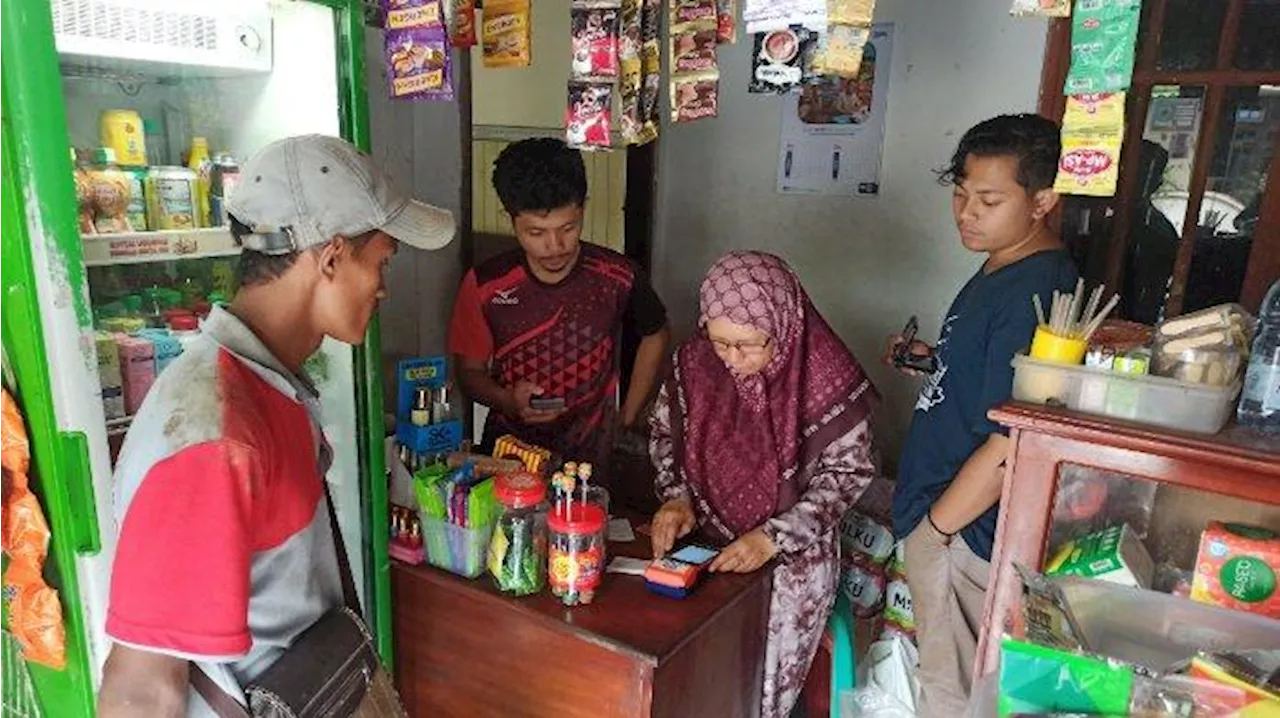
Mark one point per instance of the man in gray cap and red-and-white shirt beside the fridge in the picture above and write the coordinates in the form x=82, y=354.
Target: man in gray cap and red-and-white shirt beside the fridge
x=226, y=552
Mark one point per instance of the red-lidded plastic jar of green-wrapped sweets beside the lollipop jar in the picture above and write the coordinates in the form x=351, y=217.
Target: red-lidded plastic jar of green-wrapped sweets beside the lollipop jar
x=518, y=552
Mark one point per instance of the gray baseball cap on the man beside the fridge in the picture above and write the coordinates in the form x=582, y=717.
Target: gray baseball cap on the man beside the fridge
x=303, y=191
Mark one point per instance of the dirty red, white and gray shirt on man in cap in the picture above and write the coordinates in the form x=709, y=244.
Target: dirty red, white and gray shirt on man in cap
x=226, y=552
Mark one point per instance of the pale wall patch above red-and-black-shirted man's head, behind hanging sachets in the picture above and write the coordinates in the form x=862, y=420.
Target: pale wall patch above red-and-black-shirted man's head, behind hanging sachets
x=533, y=97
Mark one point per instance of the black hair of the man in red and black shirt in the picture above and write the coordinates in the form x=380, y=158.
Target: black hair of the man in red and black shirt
x=540, y=176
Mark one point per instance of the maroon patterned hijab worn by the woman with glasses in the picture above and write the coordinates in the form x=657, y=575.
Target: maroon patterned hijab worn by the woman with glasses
x=748, y=446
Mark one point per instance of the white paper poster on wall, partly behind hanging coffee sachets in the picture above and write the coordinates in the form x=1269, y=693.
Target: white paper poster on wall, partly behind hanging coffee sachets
x=834, y=129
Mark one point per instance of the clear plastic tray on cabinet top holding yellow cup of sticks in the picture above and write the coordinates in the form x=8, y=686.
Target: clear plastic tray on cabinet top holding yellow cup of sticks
x=1149, y=400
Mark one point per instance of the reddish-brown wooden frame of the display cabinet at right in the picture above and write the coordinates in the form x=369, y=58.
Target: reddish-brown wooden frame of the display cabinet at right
x=1176, y=484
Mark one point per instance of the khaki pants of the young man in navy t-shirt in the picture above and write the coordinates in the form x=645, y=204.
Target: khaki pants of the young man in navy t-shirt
x=949, y=588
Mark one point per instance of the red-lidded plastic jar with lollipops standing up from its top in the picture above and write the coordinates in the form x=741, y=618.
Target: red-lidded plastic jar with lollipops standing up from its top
x=577, y=557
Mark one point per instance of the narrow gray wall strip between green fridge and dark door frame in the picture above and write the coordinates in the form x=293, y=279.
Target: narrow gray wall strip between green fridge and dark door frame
x=420, y=147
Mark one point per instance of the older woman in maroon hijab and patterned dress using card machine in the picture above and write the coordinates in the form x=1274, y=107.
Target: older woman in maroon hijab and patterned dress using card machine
x=762, y=440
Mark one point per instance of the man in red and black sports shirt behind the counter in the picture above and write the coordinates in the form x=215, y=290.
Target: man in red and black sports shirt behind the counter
x=537, y=332
